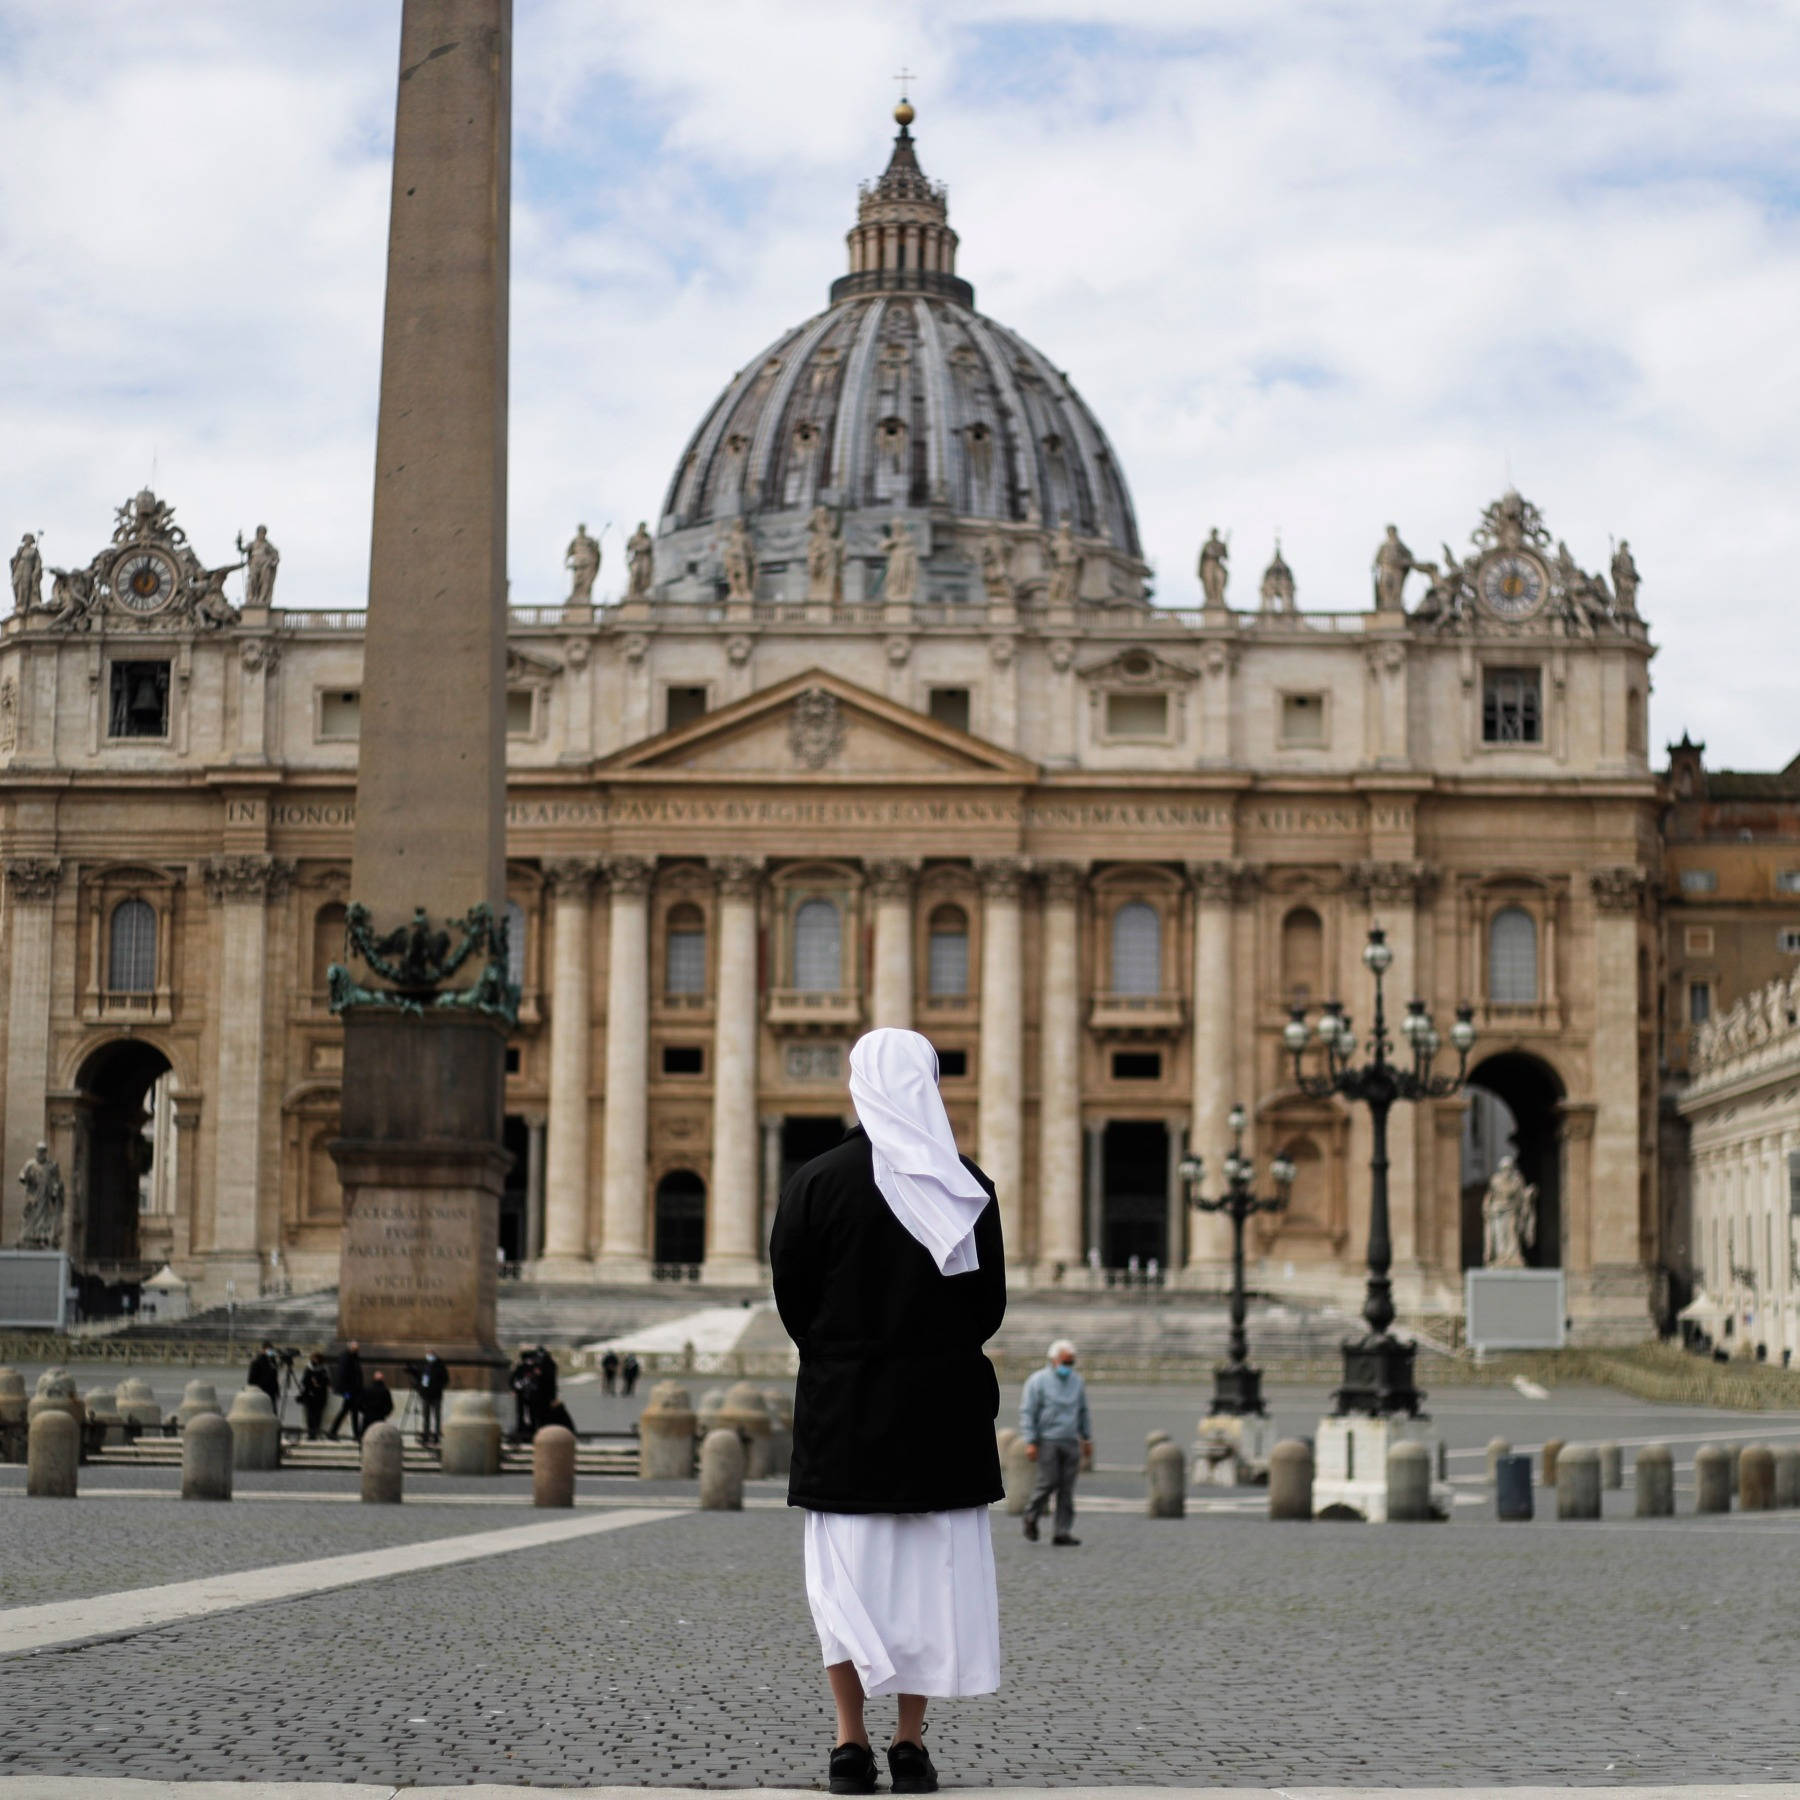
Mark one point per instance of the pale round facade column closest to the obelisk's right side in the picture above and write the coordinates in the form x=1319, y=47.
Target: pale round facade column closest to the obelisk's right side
x=566, y=1171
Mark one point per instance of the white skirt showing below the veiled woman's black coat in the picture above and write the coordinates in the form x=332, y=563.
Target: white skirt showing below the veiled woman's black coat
x=908, y=1599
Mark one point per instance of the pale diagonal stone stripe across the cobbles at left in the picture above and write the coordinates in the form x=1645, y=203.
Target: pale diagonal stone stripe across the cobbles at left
x=121, y=1615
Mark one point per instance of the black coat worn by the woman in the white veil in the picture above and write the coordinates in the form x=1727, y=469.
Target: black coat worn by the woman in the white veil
x=895, y=1405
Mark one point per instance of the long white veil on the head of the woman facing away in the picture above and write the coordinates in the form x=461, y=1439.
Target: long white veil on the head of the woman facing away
x=894, y=1084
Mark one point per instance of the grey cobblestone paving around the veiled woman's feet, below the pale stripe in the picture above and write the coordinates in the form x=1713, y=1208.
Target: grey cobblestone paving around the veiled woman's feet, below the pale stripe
x=1201, y=1651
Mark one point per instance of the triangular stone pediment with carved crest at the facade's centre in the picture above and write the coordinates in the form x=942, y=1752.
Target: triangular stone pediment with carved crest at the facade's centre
x=820, y=724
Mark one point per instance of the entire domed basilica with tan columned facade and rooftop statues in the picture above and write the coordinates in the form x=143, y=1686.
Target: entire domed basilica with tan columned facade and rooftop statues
x=885, y=732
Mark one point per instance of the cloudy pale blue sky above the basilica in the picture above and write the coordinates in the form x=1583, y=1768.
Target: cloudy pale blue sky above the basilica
x=1317, y=265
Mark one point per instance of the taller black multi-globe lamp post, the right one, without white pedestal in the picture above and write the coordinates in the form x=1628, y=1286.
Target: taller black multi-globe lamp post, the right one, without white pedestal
x=1378, y=1367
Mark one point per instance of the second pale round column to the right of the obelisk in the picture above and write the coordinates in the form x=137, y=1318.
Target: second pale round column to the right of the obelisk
x=624, y=1250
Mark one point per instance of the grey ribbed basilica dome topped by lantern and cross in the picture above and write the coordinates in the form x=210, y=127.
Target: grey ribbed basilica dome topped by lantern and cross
x=899, y=402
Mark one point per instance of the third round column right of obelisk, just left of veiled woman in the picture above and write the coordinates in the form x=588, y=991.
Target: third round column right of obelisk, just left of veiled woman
x=733, y=1207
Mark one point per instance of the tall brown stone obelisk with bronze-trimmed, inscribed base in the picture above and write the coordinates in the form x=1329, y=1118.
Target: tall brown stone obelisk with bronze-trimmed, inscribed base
x=424, y=991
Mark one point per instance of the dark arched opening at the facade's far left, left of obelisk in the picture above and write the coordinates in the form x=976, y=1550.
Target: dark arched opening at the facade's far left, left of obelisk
x=112, y=1153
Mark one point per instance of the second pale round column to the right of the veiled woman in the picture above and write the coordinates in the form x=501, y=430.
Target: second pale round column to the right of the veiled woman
x=1059, y=1101
